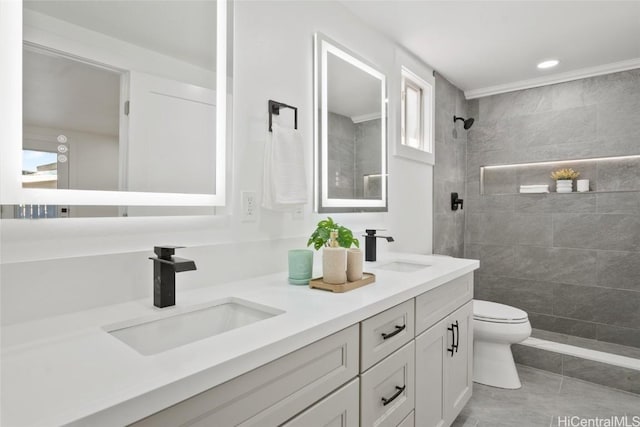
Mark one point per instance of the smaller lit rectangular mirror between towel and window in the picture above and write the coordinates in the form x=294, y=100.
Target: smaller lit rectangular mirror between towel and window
x=350, y=138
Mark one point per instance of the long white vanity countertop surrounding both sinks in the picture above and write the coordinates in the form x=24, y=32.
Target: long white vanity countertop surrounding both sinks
x=67, y=369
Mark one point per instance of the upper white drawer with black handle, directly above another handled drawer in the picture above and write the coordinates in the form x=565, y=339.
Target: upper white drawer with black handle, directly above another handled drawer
x=386, y=332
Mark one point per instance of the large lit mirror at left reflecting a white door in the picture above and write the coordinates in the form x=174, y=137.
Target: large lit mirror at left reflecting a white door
x=113, y=103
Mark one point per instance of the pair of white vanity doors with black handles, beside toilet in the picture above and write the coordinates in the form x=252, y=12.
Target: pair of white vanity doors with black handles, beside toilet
x=444, y=360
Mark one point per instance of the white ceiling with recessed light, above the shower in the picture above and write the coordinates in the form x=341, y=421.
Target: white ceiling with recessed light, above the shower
x=487, y=47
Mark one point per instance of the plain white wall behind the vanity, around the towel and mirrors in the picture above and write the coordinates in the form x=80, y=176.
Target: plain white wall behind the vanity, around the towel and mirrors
x=55, y=266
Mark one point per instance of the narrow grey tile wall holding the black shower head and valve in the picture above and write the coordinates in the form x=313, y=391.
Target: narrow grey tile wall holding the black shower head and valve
x=449, y=170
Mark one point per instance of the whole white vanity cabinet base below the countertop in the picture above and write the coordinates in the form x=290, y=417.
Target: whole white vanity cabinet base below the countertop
x=403, y=380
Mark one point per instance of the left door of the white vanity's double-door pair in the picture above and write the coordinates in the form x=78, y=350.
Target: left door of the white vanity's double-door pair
x=431, y=353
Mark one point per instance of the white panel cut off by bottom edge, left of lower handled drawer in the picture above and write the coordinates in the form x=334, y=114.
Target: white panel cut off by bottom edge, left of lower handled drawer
x=339, y=409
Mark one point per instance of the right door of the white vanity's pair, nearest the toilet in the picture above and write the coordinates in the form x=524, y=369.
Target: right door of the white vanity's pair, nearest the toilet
x=458, y=366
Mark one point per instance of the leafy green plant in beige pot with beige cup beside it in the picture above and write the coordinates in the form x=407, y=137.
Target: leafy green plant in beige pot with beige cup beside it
x=335, y=239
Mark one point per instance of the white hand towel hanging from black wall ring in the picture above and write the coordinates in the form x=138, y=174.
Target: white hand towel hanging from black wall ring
x=285, y=179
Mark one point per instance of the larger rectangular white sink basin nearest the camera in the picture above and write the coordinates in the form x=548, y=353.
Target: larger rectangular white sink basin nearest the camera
x=161, y=332
